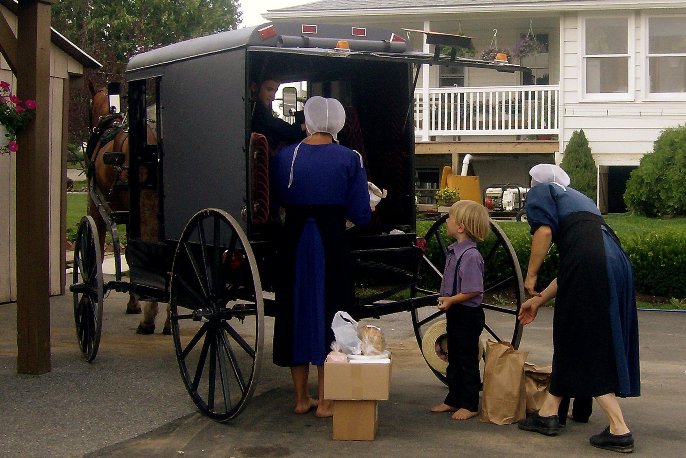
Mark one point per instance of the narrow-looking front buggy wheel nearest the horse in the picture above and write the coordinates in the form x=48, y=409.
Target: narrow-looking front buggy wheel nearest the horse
x=88, y=288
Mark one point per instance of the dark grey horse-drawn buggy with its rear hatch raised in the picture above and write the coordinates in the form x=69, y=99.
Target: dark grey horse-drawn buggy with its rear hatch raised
x=212, y=255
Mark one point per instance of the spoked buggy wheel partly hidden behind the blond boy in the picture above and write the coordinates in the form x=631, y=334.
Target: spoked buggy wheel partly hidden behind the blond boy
x=503, y=291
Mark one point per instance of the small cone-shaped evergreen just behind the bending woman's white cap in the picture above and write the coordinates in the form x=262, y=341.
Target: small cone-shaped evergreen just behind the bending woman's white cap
x=579, y=164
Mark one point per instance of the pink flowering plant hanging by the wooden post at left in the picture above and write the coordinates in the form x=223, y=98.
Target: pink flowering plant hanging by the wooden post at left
x=15, y=113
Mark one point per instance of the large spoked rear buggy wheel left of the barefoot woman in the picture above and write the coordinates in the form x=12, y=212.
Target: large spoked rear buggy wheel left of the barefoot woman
x=217, y=314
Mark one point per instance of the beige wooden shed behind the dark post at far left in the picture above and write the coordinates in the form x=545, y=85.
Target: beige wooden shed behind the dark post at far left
x=67, y=63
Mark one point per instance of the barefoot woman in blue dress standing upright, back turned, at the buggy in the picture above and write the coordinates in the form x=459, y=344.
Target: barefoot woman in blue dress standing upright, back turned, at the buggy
x=320, y=184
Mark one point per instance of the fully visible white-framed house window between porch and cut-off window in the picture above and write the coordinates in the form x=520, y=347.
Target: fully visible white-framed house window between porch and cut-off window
x=606, y=58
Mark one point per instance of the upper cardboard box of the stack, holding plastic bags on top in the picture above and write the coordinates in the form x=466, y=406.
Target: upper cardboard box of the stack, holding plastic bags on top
x=357, y=381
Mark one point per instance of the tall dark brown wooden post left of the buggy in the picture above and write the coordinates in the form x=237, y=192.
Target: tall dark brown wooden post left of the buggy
x=33, y=198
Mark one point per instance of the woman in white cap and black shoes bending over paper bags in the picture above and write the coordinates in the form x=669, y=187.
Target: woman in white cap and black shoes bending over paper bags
x=595, y=324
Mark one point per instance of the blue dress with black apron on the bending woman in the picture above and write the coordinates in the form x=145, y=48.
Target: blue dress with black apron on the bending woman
x=595, y=325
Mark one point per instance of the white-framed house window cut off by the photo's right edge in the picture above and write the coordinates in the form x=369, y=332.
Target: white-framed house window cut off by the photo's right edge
x=666, y=55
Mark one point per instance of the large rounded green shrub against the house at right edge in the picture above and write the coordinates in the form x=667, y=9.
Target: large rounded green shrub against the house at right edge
x=656, y=187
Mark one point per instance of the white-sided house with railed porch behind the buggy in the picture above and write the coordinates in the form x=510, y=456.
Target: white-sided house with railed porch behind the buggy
x=614, y=68
